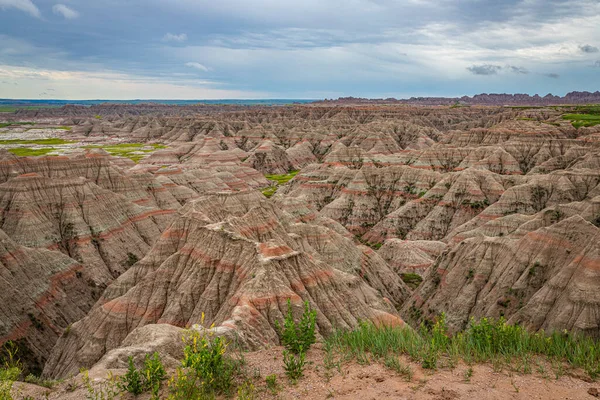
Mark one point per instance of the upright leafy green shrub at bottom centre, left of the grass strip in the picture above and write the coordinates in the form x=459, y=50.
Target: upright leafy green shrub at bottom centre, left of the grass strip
x=298, y=337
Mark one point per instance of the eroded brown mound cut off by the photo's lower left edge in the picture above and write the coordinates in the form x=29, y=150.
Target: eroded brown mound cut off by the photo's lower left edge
x=43, y=292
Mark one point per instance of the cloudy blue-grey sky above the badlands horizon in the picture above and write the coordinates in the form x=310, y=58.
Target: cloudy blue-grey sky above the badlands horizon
x=301, y=49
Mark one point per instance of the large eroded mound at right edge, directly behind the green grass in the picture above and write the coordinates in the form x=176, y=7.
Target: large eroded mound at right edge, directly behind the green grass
x=546, y=278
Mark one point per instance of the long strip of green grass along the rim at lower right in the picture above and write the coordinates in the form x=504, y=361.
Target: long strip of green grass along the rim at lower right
x=484, y=341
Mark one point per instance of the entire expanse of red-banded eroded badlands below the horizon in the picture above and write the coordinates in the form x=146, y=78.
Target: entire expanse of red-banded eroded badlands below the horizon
x=139, y=221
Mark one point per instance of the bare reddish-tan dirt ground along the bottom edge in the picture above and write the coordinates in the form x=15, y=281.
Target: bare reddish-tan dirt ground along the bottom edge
x=372, y=382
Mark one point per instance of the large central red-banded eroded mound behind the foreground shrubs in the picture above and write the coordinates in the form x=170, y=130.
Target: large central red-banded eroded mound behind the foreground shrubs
x=236, y=259
